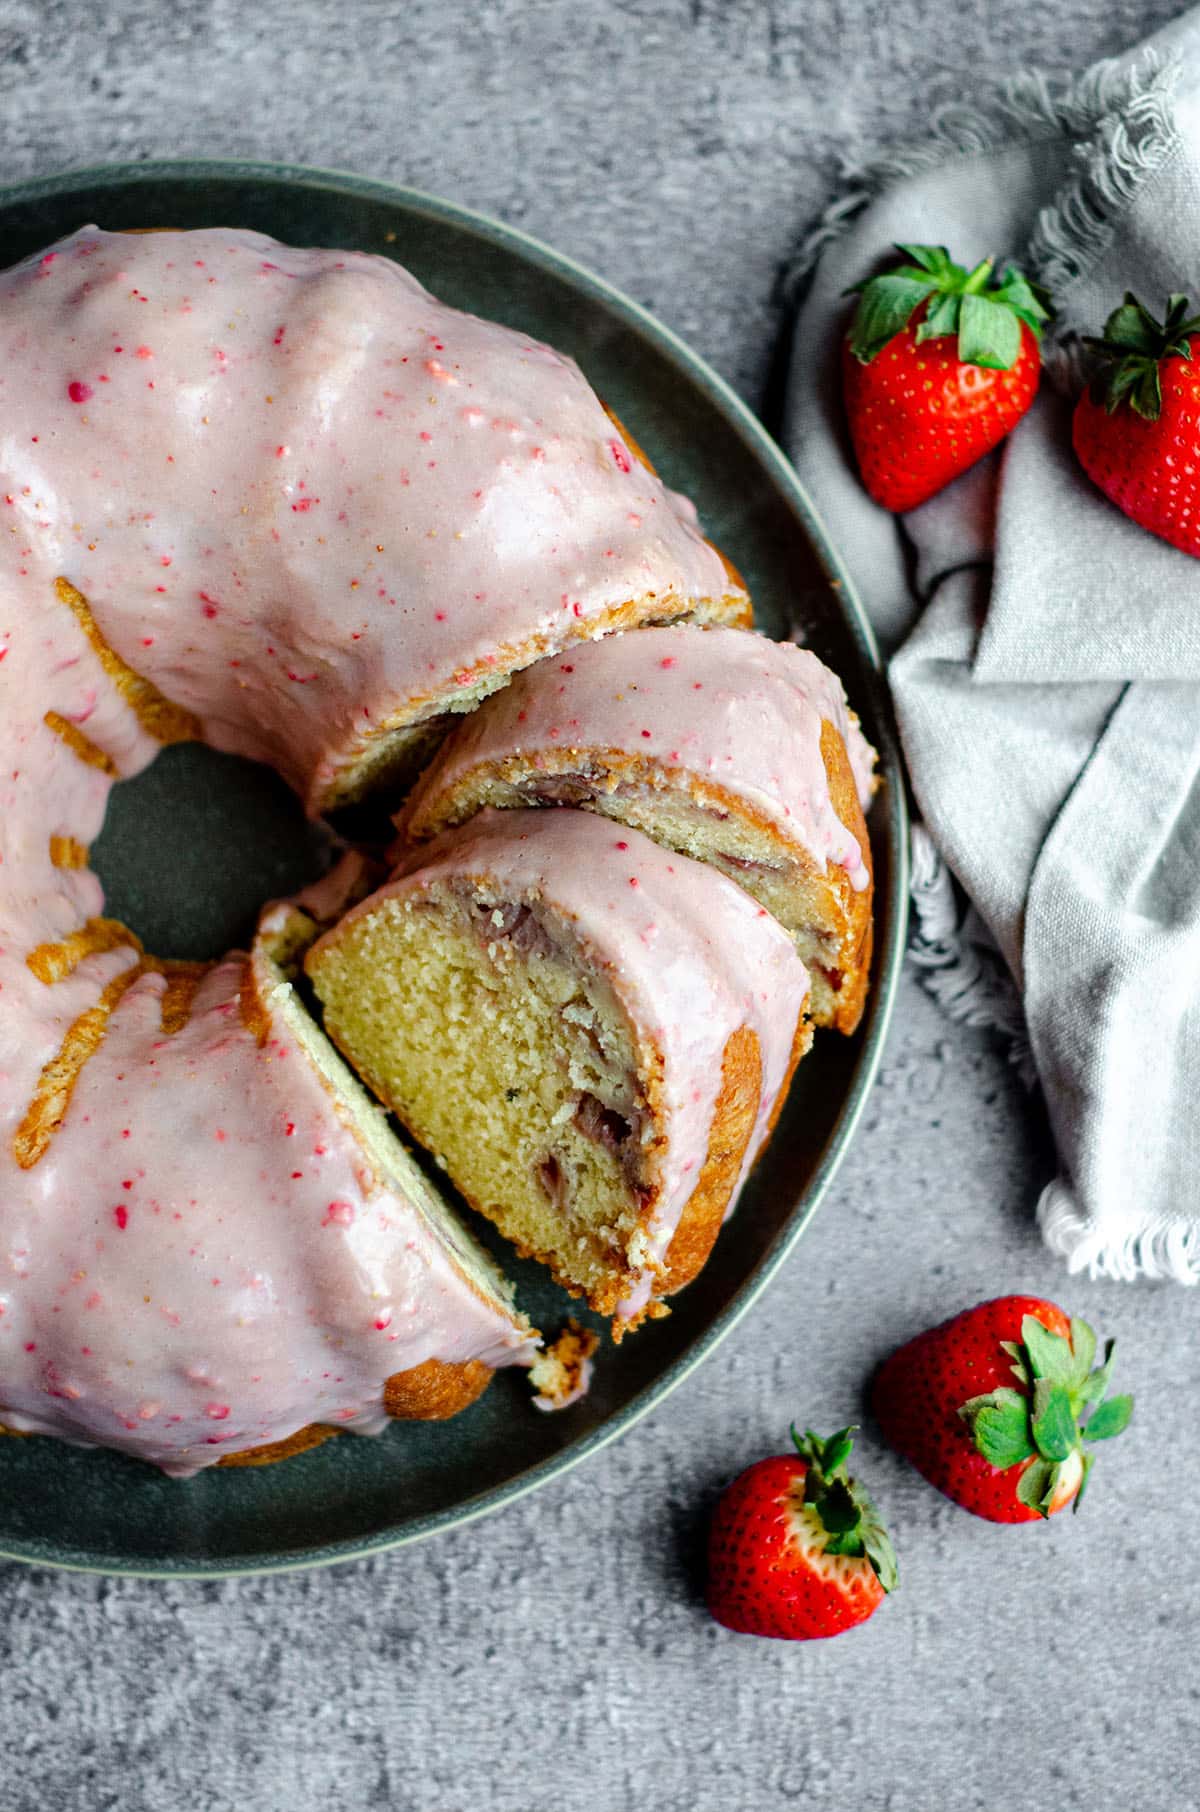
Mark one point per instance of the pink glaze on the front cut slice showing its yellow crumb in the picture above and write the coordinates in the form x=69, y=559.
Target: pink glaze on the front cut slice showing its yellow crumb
x=690, y=956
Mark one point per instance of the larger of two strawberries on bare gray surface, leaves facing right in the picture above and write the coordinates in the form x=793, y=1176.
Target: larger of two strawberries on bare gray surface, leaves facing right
x=1011, y=1452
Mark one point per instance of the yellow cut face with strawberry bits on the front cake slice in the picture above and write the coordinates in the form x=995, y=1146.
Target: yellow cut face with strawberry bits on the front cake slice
x=512, y=1061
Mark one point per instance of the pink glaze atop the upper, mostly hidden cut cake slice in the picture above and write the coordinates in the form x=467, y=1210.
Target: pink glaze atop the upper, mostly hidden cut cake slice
x=726, y=708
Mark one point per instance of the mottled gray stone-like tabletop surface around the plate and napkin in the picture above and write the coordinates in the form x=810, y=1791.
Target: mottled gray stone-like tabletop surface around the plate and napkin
x=561, y=1653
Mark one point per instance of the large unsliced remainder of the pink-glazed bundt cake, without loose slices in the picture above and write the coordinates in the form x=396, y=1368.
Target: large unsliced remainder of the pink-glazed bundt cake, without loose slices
x=285, y=503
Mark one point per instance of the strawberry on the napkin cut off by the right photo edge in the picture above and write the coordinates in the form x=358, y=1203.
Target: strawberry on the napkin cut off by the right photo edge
x=1137, y=427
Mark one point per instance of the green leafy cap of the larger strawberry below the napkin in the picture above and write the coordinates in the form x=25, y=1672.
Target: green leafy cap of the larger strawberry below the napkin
x=1040, y=1427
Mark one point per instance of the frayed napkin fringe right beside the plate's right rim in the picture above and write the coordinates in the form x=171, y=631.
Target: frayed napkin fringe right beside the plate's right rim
x=967, y=979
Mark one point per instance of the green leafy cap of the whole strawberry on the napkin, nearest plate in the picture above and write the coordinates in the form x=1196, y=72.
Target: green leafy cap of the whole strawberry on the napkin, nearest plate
x=982, y=311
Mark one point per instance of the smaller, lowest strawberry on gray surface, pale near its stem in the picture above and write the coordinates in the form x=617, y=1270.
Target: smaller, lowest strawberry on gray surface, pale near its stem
x=797, y=1548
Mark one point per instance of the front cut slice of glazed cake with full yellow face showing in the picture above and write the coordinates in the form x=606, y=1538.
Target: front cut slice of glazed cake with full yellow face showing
x=588, y=1032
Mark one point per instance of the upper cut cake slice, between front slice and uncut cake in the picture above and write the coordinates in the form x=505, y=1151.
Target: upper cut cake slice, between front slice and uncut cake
x=715, y=742
